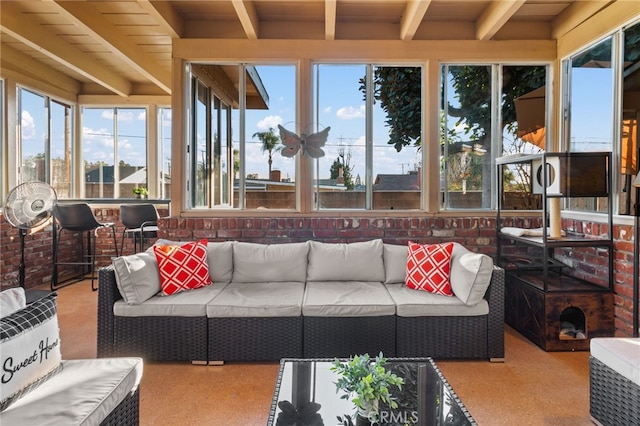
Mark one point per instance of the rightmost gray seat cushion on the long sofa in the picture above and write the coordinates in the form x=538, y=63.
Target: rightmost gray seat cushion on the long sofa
x=418, y=303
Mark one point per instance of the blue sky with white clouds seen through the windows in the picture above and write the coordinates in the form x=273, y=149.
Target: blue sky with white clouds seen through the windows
x=340, y=106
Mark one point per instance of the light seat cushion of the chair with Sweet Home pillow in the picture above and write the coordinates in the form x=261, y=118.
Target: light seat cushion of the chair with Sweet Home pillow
x=83, y=393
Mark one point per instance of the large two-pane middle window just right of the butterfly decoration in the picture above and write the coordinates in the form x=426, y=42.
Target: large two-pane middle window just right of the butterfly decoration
x=372, y=157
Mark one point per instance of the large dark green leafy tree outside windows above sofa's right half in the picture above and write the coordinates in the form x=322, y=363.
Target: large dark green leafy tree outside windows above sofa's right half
x=398, y=89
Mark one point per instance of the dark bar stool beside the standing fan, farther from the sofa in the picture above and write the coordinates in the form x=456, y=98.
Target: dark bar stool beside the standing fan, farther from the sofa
x=78, y=218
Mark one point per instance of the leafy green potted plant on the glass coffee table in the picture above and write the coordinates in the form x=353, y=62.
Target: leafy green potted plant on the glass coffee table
x=366, y=382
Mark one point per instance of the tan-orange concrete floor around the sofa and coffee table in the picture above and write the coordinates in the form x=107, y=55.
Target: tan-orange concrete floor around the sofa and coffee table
x=531, y=387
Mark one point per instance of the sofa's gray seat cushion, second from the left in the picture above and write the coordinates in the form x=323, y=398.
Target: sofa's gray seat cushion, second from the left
x=263, y=299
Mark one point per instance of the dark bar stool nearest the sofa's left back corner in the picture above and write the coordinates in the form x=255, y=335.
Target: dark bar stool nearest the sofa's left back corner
x=140, y=221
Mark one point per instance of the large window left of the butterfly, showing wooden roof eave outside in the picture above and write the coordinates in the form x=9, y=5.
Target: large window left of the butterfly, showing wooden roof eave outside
x=236, y=160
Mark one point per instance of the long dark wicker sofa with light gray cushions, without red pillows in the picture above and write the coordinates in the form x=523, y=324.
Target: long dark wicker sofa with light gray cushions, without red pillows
x=311, y=299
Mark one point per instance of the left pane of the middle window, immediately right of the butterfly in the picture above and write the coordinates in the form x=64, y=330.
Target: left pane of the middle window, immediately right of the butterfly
x=340, y=175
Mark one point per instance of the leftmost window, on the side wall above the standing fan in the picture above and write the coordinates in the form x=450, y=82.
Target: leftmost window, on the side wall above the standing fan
x=45, y=141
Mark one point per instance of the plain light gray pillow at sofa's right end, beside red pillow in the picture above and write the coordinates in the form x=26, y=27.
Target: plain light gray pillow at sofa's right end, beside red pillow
x=470, y=274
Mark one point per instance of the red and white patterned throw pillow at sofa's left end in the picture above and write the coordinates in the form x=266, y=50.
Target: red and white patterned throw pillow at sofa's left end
x=182, y=267
